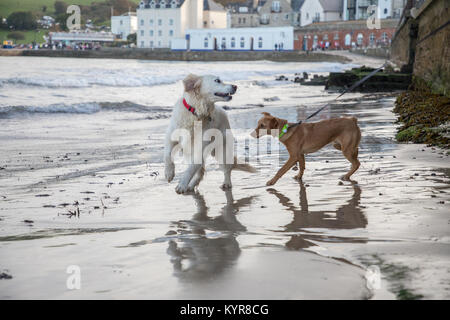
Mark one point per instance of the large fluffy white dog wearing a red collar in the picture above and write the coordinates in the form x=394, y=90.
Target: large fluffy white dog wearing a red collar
x=197, y=107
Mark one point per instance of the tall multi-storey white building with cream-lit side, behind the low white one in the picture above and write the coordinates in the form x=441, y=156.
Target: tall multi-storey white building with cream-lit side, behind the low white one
x=162, y=21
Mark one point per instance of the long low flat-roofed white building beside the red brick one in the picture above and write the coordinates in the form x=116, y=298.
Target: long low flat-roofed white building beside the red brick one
x=238, y=39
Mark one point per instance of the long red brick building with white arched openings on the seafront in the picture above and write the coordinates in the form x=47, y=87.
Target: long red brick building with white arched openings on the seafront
x=343, y=35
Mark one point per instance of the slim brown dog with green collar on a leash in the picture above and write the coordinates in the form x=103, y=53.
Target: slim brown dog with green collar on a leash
x=310, y=137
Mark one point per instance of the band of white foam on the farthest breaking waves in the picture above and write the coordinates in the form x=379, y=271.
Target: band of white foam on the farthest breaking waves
x=157, y=75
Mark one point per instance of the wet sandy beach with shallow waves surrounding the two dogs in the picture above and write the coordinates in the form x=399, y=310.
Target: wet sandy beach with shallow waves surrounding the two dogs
x=82, y=184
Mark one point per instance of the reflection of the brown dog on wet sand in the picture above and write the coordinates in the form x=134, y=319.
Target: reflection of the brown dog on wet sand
x=348, y=216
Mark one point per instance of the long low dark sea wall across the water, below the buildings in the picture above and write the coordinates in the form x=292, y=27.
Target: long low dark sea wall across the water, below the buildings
x=167, y=55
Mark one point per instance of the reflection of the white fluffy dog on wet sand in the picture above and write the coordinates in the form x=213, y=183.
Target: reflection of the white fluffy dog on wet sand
x=201, y=257
